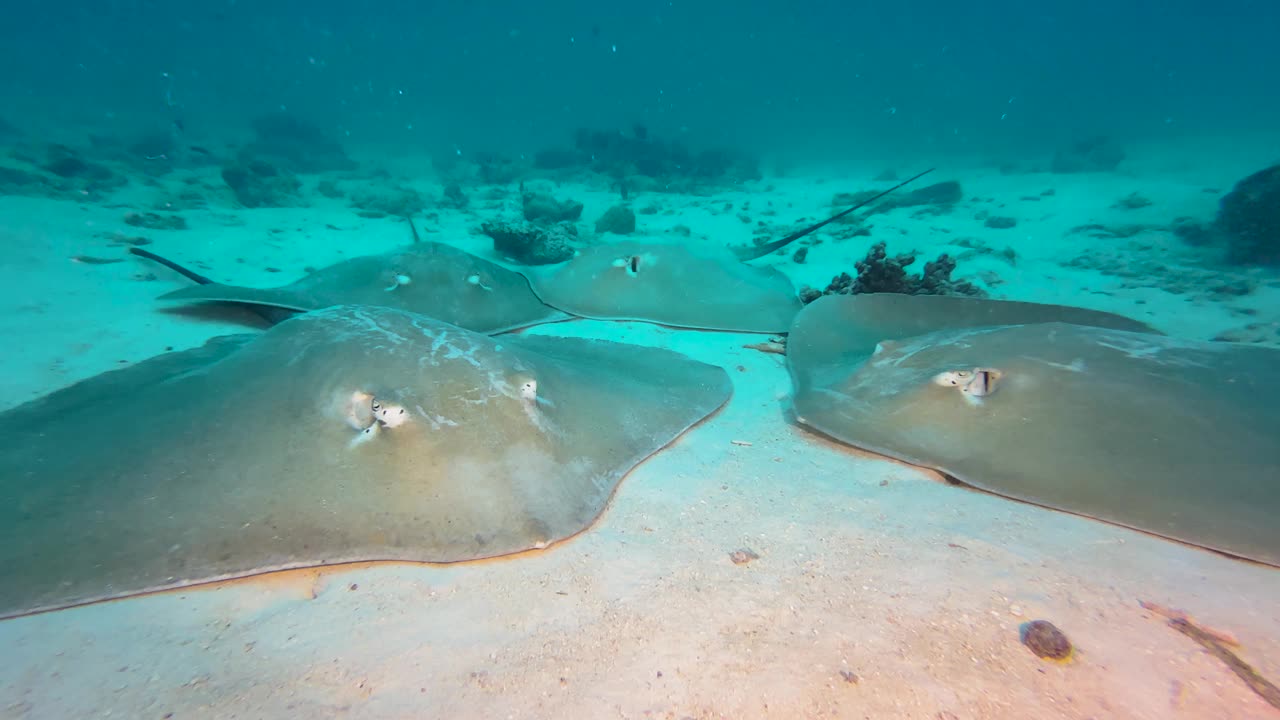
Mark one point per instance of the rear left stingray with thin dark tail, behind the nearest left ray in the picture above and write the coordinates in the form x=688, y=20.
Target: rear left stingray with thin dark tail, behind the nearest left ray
x=435, y=280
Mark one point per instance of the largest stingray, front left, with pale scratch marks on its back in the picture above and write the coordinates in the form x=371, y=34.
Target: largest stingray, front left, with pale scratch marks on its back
x=345, y=435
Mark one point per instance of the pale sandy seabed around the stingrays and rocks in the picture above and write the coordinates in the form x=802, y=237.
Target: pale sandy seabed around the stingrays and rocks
x=866, y=567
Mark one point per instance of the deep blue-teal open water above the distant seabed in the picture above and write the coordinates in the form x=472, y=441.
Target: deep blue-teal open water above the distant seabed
x=816, y=79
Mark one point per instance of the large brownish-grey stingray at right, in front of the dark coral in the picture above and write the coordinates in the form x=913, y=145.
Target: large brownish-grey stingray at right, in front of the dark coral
x=1167, y=436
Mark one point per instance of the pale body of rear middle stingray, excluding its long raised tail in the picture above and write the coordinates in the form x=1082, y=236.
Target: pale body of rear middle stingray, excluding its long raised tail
x=670, y=285
